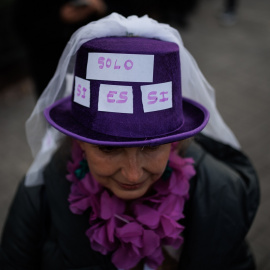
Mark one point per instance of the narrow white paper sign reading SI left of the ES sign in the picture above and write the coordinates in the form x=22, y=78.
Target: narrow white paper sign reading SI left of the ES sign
x=82, y=92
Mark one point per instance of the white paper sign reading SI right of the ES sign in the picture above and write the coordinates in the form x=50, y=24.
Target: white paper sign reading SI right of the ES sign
x=157, y=97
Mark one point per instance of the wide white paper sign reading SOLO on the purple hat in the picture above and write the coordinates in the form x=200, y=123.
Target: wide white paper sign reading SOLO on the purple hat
x=120, y=67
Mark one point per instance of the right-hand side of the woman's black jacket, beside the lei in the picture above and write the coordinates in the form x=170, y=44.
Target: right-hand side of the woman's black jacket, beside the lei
x=224, y=197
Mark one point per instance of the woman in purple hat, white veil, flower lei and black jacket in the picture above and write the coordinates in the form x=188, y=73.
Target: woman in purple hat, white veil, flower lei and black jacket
x=138, y=176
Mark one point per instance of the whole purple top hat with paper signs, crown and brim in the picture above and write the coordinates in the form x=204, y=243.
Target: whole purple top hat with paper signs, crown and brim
x=127, y=92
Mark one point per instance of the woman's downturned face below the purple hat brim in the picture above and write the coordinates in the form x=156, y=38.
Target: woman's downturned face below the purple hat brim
x=127, y=172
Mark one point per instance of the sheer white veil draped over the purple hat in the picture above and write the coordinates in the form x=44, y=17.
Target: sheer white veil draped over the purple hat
x=44, y=140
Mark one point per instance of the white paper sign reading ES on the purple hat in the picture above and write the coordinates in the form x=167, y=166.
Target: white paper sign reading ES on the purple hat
x=115, y=98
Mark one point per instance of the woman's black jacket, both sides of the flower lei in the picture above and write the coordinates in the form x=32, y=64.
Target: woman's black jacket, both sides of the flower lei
x=42, y=233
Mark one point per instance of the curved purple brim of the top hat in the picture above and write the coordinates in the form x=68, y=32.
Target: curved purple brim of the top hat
x=60, y=117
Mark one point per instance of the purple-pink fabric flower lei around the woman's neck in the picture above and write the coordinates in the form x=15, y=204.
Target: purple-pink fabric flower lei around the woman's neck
x=139, y=232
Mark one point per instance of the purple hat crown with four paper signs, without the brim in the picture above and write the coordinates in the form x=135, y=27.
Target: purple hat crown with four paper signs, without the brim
x=128, y=87
